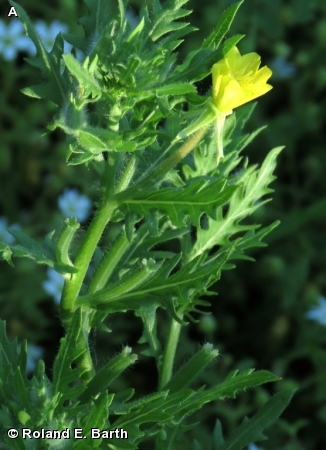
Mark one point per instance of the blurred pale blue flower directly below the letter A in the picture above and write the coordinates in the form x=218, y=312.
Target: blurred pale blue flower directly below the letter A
x=13, y=39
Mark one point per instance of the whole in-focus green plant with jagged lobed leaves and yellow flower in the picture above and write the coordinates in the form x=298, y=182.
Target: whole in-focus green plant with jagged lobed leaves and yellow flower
x=155, y=242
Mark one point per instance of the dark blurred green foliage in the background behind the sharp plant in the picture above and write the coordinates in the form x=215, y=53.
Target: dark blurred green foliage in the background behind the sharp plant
x=259, y=315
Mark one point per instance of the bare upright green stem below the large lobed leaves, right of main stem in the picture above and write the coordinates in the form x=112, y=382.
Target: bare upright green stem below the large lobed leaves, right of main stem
x=169, y=352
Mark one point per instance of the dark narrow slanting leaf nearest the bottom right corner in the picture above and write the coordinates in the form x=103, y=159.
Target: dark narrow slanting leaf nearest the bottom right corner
x=251, y=430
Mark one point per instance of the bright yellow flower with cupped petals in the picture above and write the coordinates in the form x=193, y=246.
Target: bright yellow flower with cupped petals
x=237, y=80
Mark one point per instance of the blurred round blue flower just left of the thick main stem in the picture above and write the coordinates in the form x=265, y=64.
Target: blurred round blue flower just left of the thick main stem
x=72, y=204
